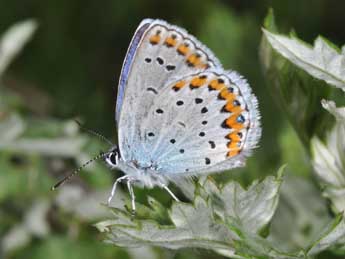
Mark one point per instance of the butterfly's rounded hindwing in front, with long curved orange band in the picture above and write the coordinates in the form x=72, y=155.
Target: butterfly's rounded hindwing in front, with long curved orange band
x=204, y=122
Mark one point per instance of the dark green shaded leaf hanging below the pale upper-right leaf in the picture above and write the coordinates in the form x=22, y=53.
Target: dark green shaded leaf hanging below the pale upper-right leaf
x=294, y=89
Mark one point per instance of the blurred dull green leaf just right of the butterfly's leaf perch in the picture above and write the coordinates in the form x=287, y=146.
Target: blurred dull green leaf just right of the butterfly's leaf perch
x=300, y=216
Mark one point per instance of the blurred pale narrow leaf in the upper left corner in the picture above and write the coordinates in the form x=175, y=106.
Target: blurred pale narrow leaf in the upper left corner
x=13, y=41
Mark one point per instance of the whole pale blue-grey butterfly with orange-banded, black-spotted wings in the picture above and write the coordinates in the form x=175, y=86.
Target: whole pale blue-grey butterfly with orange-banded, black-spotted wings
x=178, y=112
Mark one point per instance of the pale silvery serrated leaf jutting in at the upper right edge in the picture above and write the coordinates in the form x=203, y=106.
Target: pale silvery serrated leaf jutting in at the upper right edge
x=321, y=61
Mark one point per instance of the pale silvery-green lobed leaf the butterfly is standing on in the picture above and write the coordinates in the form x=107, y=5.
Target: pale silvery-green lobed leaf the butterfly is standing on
x=202, y=224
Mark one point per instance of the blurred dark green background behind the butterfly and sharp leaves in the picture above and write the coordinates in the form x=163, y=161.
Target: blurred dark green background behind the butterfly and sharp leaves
x=70, y=70
